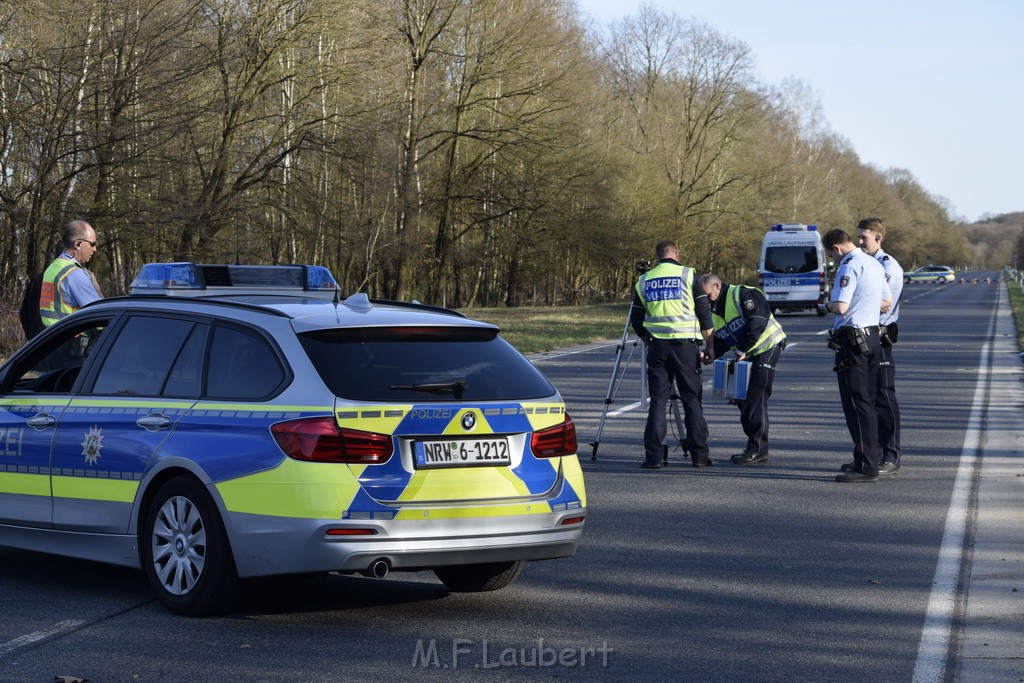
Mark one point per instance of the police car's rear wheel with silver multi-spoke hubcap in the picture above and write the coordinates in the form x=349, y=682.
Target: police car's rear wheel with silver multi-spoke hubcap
x=186, y=552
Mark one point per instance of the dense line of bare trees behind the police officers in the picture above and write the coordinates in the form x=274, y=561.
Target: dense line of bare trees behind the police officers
x=457, y=152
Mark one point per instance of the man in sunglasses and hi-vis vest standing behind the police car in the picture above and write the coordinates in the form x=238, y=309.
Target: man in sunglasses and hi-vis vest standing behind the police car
x=67, y=285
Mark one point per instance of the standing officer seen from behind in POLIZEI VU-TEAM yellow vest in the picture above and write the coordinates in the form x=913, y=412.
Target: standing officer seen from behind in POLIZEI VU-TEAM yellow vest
x=672, y=317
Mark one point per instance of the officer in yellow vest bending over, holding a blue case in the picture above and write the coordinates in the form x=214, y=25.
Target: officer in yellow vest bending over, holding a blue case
x=744, y=323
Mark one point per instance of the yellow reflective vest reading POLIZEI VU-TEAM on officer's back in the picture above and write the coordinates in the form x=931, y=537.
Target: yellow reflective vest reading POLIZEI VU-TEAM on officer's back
x=667, y=292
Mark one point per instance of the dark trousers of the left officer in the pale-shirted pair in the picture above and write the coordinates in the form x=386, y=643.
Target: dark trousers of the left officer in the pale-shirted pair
x=859, y=390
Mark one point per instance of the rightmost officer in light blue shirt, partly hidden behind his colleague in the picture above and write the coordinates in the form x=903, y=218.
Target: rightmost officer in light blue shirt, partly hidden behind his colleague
x=871, y=234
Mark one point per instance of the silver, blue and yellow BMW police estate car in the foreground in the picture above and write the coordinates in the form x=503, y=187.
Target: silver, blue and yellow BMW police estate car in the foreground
x=228, y=422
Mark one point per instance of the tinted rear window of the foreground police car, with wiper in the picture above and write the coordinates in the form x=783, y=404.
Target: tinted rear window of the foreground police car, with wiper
x=419, y=364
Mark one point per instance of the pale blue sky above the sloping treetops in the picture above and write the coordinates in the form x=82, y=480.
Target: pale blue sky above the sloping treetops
x=933, y=87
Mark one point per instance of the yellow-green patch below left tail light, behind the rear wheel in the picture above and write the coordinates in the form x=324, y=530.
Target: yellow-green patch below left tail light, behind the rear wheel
x=309, y=491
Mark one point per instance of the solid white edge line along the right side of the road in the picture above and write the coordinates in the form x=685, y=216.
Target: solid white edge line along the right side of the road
x=935, y=635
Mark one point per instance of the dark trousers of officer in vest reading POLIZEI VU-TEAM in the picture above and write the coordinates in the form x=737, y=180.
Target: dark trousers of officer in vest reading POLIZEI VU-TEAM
x=677, y=360
